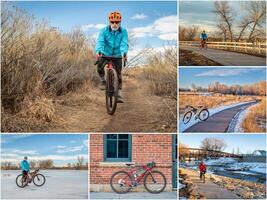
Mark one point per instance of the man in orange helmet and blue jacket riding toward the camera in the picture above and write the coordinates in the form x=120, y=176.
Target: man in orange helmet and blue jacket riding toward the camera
x=112, y=41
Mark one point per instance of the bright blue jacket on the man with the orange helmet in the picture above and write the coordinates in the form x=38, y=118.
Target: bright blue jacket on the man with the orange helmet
x=112, y=43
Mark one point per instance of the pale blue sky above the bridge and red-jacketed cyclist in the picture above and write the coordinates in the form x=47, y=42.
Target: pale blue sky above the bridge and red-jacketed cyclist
x=245, y=142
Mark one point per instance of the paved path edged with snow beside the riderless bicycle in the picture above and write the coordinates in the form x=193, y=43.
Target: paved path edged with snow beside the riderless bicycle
x=218, y=122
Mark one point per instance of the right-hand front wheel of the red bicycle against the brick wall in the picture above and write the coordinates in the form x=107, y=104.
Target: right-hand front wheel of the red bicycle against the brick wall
x=155, y=182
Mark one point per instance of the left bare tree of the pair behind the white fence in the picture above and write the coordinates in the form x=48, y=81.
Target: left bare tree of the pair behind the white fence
x=225, y=14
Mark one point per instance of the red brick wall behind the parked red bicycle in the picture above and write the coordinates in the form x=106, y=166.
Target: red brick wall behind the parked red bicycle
x=145, y=148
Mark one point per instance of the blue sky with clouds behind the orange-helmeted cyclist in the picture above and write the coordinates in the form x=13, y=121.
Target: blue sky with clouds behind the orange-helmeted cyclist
x=152, y=23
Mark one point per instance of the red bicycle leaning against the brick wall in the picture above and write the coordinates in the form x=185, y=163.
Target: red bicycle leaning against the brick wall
x=123, y=181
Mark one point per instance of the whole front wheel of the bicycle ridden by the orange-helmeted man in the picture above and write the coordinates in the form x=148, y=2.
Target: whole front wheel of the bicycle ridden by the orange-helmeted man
x=111, y=90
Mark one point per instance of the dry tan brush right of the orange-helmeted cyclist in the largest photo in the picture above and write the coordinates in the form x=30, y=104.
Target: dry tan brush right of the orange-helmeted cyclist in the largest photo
x=161, y=75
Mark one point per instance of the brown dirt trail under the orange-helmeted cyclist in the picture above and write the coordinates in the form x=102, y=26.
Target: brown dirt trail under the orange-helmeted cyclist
x=141, y=112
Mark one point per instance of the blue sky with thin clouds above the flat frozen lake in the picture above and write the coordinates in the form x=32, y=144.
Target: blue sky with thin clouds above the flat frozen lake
x=62, y=148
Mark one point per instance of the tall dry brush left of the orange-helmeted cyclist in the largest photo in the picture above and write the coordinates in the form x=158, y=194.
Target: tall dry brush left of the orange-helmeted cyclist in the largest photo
x=38, y=63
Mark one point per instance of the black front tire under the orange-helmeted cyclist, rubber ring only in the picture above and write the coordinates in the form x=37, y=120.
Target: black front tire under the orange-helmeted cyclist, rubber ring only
x=113, y=108
